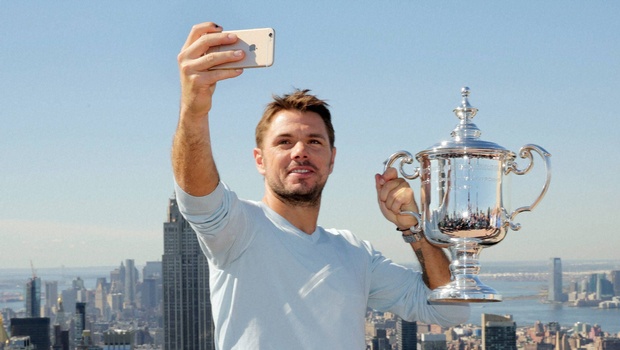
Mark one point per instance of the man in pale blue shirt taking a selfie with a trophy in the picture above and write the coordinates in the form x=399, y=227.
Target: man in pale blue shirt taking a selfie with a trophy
x=278, y=280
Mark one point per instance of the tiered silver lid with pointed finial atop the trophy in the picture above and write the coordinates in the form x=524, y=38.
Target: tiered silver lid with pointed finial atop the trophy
x=465, y=136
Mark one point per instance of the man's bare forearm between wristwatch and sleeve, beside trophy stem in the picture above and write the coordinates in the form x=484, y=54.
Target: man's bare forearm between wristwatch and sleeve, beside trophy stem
x=434, y=263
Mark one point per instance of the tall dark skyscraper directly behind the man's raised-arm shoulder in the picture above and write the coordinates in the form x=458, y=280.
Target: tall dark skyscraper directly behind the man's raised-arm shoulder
x=187, y=308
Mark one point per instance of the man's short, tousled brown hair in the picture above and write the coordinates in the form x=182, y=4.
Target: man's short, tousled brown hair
x=300, y=100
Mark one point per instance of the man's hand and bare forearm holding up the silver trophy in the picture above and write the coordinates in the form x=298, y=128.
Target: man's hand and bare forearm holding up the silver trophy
x=395, y=195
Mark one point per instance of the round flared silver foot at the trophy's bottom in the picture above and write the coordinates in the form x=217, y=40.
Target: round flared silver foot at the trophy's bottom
x=465, y=290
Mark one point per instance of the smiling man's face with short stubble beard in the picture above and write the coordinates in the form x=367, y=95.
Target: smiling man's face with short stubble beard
x=296, y=157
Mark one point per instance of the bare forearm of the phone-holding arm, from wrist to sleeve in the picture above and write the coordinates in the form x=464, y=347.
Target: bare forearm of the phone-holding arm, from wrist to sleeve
x=192, y=157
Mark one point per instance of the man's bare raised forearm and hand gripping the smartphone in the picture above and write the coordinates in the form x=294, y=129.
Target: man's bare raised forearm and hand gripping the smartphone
x=192, y=157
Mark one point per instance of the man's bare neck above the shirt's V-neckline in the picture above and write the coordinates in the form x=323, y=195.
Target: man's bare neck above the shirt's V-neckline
x=300, y=216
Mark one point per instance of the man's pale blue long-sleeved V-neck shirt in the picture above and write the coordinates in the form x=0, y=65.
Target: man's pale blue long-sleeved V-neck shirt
x=276, y=287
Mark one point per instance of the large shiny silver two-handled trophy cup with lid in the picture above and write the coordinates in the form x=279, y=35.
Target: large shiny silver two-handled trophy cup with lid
x=462, y=200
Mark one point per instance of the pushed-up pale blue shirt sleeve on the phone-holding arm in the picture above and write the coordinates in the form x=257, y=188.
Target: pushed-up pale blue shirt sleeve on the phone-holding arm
x=219, y=221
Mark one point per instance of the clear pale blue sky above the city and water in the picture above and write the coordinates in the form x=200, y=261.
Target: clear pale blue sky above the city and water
x=89, y=99
